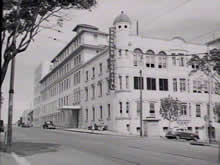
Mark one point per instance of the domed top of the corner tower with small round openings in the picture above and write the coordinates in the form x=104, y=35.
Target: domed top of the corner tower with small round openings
x=122, y=24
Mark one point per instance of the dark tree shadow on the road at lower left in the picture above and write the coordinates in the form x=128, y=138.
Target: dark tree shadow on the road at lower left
x=29, y=148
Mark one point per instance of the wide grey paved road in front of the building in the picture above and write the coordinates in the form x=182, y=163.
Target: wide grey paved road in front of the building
x=36, y=146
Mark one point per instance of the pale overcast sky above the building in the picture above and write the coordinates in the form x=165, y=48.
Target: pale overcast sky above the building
x=196, y=21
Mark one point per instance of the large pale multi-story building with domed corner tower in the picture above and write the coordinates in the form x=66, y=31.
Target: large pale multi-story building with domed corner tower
x=78, y=93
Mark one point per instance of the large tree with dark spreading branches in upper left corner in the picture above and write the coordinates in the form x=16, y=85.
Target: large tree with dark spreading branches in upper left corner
x=22, y=20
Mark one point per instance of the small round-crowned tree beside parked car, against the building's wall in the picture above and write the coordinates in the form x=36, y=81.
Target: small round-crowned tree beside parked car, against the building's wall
x=170, y=109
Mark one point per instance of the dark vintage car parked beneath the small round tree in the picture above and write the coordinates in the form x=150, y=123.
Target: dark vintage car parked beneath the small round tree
x=181, y=135
